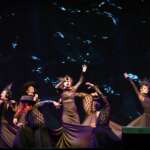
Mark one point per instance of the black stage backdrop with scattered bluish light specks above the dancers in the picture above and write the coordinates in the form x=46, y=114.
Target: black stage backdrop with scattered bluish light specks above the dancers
x=41, y=40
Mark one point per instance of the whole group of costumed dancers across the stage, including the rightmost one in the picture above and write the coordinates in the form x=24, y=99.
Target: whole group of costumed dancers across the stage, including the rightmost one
x=22, y=124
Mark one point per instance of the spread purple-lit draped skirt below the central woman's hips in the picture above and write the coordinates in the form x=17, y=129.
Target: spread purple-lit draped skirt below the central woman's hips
x=75, y=136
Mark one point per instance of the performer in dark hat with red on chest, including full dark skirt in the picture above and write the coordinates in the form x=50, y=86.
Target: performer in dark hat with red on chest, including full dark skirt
x=30, y=120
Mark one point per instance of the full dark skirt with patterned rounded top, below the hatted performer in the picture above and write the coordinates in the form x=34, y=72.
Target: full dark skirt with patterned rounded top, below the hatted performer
x=34, y=134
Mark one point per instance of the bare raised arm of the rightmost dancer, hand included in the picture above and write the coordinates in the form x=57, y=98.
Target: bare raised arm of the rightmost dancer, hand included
x=140, y=96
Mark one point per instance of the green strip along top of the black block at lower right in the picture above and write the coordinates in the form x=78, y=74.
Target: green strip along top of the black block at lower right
x=131, y=130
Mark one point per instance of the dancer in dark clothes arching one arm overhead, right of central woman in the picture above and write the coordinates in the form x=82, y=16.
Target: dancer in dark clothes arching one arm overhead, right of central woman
x=98, y=117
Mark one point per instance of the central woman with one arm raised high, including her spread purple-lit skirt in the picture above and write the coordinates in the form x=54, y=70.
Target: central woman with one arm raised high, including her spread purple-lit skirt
x=72, y=134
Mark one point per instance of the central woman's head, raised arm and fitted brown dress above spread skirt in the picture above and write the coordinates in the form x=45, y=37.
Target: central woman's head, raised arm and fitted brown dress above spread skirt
x=70, y=114
